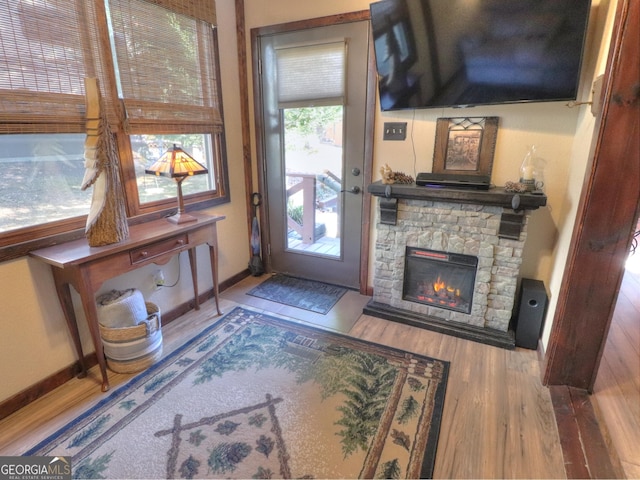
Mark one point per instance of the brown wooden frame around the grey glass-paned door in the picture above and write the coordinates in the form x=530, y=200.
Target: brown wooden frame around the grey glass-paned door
x=368, y=138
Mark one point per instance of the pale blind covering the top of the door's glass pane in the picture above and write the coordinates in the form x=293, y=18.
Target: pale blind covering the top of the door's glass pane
x=311, y=75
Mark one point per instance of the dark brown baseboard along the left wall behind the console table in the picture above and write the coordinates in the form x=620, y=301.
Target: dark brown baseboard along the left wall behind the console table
x=50, y=383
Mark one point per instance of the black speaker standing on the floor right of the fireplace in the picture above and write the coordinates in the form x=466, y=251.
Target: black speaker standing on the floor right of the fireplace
x=531, y=313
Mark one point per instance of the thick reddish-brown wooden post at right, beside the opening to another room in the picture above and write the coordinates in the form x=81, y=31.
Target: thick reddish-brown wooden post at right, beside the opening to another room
x=606, y=218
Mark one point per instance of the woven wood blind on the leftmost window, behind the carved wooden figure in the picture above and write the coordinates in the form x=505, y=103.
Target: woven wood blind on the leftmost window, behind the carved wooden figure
x=45, y=54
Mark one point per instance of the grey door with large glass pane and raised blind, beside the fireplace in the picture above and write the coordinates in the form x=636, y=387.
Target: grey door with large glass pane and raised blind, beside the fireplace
x=313, y=89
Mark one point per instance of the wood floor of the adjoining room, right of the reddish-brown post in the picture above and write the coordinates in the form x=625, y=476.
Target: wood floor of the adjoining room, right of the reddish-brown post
x=617, y=389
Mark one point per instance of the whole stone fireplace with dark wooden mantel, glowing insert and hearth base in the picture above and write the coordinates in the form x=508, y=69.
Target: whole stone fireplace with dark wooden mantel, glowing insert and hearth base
x=468, y=243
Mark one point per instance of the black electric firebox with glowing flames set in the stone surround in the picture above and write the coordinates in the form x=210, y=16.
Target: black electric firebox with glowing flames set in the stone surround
x=440, y=279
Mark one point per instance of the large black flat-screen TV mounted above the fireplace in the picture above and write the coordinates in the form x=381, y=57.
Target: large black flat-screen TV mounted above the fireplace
x=458, y=53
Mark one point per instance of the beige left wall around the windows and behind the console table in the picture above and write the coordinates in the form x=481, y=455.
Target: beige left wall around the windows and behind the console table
x=34, y=341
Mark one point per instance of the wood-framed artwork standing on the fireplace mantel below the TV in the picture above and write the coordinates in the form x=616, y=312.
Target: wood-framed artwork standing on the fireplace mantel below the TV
x=465, y=145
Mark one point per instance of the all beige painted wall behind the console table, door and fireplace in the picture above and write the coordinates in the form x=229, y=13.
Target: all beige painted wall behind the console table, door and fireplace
x=34, y=341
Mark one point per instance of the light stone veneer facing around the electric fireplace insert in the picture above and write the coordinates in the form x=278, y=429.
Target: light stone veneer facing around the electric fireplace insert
x=468, y=229
